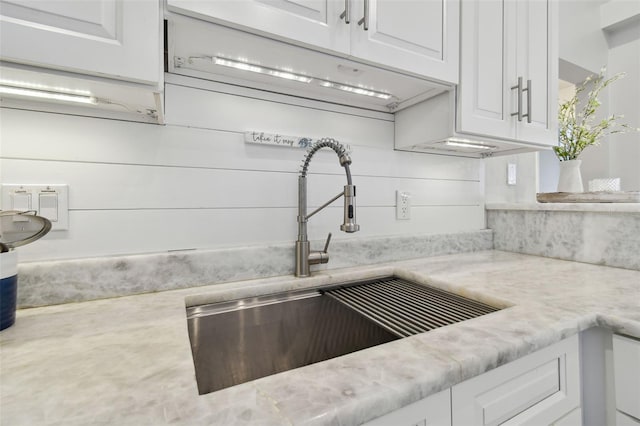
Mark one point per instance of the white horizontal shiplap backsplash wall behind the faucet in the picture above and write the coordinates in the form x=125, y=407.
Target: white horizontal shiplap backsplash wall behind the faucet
x=194, y=183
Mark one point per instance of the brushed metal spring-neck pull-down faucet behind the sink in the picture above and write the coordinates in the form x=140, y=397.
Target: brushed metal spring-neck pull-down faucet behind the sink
x=304, y=256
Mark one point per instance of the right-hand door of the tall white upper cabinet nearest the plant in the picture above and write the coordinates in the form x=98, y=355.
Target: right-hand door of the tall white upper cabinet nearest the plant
x=537, y=63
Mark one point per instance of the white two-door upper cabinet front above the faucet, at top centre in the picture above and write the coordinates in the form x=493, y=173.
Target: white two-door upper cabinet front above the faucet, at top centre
x=420, y=37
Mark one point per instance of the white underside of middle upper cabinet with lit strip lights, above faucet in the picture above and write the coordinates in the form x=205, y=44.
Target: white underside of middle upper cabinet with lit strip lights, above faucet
x=214, y=52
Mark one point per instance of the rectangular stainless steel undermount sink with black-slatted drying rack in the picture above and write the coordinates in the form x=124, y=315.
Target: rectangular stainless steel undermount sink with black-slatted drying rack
x=242, y=340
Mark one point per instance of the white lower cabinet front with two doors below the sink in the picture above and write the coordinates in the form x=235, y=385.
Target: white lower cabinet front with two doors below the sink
x=542, y=388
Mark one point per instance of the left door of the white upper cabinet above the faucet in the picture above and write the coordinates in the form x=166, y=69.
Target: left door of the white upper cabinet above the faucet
x=312, y=22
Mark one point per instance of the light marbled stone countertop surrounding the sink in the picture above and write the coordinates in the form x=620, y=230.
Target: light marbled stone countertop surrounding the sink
x=127, y=361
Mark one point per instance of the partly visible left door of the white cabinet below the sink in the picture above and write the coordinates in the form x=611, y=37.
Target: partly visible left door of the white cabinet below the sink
x=434, y=410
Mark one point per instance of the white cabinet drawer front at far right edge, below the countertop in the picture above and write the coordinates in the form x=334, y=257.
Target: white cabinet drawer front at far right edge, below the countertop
x=626, y=365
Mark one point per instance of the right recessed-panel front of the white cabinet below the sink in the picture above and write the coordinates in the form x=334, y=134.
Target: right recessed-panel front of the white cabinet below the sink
x=539, y=388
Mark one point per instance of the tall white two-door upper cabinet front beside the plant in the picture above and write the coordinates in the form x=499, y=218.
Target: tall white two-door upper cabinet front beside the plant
x=509, y=70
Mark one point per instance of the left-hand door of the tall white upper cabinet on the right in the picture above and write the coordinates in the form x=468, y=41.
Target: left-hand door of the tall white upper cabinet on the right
x=484, y=91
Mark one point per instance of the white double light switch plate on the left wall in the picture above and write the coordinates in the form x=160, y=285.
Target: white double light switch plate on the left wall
x=54, y=196
